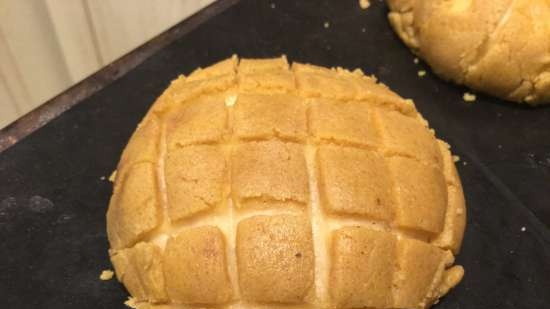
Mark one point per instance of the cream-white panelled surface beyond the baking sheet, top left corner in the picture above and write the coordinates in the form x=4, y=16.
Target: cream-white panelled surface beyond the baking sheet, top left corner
x=48, y=45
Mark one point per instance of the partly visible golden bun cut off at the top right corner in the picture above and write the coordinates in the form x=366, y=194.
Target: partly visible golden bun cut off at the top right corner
x=500, y=47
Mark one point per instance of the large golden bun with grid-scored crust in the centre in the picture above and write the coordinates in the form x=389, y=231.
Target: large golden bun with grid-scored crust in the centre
x=258, y=184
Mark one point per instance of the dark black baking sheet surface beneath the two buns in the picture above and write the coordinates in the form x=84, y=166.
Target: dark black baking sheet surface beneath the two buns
x=53, y=195
